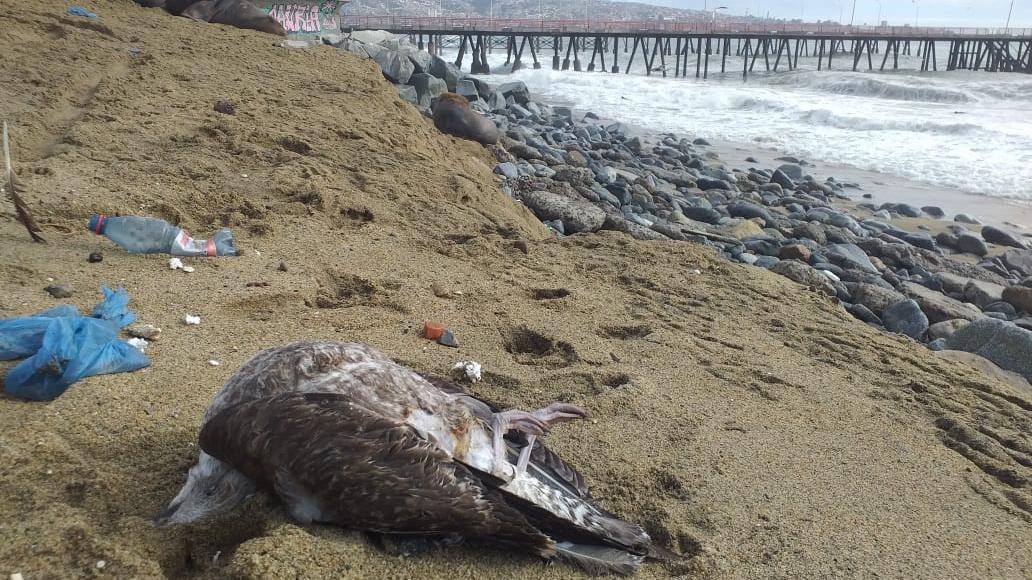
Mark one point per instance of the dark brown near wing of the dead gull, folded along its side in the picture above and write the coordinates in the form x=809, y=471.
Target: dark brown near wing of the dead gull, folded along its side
x=343, y=464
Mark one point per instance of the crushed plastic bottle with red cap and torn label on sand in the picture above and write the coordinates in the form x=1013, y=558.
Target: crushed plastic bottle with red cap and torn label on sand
x=151, y=236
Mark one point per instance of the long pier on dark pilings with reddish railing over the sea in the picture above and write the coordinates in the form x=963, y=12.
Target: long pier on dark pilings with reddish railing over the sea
x=683, y=49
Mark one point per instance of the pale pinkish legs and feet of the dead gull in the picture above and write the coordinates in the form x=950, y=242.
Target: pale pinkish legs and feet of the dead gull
x=532, y=424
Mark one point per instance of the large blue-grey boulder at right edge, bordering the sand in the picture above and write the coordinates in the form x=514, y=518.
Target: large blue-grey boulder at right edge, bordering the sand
x=1003, y=343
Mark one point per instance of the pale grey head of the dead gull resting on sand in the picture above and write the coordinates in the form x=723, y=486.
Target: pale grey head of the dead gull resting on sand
x=213, y=488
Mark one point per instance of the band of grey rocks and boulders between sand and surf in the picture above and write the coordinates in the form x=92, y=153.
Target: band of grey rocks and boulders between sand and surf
x=580, y=175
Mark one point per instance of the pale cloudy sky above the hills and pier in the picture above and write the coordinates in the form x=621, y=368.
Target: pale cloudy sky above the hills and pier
x=930, y=13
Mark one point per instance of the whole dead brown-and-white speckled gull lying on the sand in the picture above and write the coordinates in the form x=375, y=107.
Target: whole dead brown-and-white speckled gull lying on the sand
x=343, y=435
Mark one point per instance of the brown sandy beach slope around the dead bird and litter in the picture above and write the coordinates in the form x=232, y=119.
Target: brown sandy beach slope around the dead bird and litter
x=748, y=424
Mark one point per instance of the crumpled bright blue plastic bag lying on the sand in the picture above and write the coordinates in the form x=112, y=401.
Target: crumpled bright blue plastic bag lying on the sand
x=67, y=347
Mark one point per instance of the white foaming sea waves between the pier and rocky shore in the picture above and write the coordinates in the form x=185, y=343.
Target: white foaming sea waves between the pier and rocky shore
x=960, y=131
